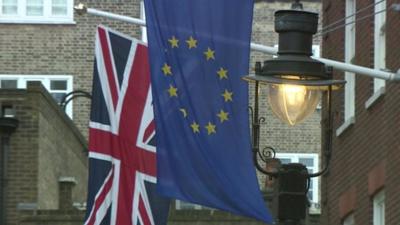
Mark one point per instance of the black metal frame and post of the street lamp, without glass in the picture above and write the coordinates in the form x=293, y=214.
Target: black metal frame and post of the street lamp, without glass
x=292, y=66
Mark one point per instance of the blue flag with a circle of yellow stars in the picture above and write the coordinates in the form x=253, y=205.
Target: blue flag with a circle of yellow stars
x=199, y=50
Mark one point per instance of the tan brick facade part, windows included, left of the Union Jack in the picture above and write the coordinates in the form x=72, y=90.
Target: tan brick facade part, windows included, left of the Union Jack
x=47, y=42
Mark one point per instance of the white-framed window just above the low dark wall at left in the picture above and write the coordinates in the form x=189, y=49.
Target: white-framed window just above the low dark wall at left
x=57, y=85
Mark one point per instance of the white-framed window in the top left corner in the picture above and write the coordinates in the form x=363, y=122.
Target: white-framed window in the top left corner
x=36, y=11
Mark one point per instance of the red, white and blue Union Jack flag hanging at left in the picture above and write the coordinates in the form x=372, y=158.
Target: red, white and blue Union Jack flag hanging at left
x=122, y=153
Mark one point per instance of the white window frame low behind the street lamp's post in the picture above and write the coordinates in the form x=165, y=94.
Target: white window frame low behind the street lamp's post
x=294, y=158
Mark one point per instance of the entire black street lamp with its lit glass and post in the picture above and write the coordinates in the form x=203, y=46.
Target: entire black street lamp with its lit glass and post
x=295, y=83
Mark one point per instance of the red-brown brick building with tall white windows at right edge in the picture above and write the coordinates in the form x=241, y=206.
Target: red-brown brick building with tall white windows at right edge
x=362, y=184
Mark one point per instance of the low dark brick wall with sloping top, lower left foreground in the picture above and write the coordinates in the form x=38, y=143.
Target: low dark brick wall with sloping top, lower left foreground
x=45, y=147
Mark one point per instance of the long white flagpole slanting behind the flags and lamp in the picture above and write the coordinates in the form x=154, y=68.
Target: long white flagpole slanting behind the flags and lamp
x=347, y=67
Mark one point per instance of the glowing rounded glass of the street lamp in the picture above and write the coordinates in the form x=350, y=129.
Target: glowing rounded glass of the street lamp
x=293, y=103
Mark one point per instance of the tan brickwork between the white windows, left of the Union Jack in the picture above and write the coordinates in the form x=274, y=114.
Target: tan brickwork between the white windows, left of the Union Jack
x=63, y=49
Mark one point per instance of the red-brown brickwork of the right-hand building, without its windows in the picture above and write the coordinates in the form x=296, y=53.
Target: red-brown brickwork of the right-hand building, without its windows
x=370, y=148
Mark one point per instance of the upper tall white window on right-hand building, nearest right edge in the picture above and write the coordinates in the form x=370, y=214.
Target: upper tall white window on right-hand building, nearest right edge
x=379, y=50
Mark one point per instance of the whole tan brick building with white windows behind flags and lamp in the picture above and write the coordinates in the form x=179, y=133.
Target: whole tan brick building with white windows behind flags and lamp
x=45, y=41
